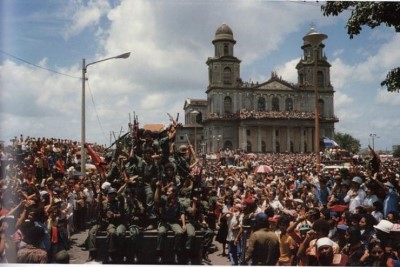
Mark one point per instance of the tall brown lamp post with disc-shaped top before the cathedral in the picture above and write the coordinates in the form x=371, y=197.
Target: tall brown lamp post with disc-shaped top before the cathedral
x=314, y=39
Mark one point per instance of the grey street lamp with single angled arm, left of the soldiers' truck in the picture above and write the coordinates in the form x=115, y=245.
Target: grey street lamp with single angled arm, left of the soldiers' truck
x=83, y=119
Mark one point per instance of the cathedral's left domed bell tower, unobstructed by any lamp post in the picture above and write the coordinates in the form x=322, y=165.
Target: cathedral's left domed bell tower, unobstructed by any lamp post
x=224, y=67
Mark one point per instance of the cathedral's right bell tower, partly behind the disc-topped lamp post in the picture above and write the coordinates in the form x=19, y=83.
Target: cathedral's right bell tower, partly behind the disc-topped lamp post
x=306, y=64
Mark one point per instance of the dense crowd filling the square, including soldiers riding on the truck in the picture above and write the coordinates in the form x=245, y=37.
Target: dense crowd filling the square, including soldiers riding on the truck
x=290, y=212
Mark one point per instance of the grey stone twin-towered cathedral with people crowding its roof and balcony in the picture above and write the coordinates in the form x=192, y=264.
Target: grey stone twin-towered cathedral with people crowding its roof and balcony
x=270, y=116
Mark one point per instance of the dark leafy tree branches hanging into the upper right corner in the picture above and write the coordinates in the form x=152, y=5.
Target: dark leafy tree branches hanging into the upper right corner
x=369, y=14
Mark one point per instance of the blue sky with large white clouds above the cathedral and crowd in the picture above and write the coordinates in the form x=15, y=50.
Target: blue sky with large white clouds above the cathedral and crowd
x=170, y=42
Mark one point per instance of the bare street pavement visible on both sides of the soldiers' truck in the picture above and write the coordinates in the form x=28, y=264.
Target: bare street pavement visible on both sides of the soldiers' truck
x=79, y=256
